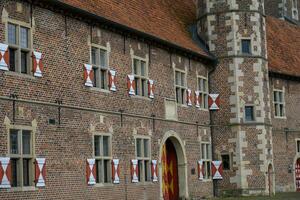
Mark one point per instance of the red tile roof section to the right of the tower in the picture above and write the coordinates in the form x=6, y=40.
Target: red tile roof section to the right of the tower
x=283, y=47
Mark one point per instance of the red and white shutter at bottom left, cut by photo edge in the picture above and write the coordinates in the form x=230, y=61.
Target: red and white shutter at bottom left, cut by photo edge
x=5, y=172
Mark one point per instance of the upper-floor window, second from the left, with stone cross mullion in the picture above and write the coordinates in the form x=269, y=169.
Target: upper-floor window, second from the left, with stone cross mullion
x=99, y=59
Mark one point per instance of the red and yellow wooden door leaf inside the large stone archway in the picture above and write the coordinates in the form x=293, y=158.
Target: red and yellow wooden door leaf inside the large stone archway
x=170, y=172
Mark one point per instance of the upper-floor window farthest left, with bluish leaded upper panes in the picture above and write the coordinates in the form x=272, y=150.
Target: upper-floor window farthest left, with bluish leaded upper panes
x=19, y=48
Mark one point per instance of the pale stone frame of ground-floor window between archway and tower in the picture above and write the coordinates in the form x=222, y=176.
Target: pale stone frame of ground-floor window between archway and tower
x=207, y=159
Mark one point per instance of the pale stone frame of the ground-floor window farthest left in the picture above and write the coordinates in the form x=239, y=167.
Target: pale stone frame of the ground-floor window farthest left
x=20, y=156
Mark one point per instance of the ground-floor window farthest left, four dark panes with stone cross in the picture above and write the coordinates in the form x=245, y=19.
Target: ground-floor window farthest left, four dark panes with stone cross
x=21, y=153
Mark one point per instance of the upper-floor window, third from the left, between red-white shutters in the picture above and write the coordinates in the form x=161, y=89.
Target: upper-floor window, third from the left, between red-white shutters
x=140, y=77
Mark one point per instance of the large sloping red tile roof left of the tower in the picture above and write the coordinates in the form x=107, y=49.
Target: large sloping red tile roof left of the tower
x=165, y=19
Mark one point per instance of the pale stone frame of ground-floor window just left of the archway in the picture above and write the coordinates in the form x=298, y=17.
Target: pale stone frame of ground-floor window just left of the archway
x=143, y=158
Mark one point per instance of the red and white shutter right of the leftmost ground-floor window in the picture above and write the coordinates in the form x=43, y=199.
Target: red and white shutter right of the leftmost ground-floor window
x=40, y=172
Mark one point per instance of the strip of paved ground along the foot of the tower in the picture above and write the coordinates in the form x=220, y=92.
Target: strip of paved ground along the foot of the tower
x=278, y=196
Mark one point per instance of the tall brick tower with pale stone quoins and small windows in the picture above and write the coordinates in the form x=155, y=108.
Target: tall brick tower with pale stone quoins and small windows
x=235, y=31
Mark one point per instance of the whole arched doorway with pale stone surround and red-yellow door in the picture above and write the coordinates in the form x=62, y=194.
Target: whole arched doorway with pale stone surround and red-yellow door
x=172, y=149
